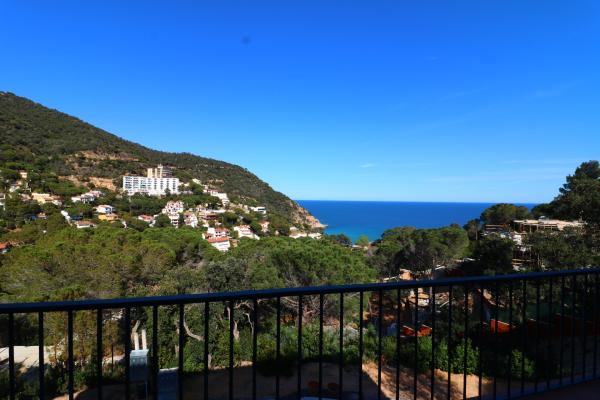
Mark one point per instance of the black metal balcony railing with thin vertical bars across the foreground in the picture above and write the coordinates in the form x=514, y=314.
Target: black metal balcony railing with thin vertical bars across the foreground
x=477, y=337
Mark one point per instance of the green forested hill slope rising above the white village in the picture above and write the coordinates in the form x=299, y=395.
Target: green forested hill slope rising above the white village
x=73, y=148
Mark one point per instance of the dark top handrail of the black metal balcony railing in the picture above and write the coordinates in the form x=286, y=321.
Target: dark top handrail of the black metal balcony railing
x=128, y=302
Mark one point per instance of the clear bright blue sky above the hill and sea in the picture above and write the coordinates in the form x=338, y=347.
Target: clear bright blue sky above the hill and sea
x=372, y=100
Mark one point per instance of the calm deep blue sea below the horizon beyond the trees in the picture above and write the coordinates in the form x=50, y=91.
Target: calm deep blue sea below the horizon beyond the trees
x=372, y=218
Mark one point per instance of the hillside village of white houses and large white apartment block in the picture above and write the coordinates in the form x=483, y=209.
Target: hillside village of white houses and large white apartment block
x=218, y=220
